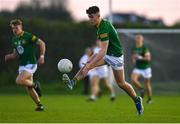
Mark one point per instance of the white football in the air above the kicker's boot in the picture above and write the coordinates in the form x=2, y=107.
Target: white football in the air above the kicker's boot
x=65, y=65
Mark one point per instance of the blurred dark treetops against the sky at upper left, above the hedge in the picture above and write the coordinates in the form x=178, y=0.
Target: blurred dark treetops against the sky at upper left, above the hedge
x=56, y=10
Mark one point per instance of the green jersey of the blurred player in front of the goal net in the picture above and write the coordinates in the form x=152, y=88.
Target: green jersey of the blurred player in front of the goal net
x=141, y=64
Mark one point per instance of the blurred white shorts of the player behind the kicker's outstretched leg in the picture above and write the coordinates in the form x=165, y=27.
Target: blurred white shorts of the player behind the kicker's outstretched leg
x=101, y=72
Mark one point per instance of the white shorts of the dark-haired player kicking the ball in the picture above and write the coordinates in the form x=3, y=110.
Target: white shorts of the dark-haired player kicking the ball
x=117, y=63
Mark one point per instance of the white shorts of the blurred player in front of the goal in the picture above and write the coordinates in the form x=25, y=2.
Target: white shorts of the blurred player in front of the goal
x=145, y=73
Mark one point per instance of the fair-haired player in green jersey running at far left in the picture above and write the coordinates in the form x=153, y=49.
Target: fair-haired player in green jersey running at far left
x=24, y=45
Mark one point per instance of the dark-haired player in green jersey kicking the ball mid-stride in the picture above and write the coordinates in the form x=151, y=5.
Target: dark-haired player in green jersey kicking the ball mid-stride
x=111, y=53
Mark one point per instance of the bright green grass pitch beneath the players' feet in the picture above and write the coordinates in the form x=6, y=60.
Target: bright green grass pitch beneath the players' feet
x=75, y=108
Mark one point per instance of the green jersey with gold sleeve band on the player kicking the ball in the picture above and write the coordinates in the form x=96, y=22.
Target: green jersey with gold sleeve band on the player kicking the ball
x=106, y=31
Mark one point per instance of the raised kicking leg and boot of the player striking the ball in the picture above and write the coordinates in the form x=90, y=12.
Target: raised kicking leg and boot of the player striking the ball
x=79, y=75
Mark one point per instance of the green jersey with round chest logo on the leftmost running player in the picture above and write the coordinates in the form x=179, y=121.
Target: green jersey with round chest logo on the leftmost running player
x=25, y=46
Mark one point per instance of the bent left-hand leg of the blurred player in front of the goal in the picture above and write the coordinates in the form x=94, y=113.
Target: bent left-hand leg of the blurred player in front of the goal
x=135, y=80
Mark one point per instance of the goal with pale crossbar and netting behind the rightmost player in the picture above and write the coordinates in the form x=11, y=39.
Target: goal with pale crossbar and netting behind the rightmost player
x=164, y=45
